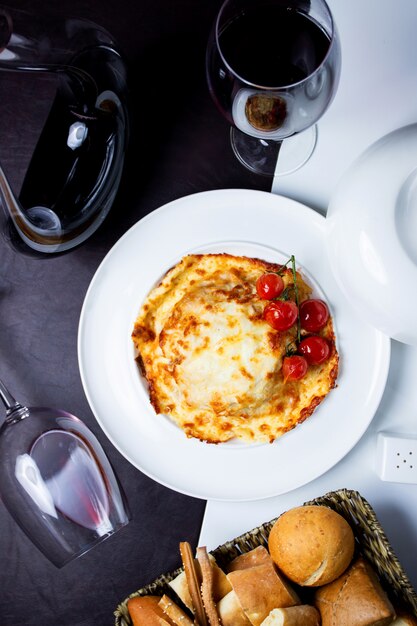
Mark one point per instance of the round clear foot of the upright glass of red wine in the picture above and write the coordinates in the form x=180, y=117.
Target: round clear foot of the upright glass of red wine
x=273, y=158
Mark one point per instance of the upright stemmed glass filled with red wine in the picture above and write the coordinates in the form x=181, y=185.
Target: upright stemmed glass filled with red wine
x=273, y=68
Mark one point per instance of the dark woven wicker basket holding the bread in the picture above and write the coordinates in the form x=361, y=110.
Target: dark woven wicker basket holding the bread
x=370, y=537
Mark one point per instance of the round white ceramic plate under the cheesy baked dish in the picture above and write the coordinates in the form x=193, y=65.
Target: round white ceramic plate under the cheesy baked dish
x=240, y=222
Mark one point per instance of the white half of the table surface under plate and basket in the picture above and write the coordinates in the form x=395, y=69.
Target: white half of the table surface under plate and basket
x=377, y=94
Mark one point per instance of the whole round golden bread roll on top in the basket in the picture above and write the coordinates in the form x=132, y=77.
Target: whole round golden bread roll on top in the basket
x=311, y=545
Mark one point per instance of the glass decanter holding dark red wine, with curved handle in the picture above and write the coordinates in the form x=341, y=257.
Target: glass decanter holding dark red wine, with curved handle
x=76, y=167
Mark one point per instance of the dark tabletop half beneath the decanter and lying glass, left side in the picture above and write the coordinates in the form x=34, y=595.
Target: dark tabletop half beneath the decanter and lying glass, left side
x=179, y=146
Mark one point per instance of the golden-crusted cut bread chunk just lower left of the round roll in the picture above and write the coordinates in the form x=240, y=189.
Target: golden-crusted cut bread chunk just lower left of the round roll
x=260, y=589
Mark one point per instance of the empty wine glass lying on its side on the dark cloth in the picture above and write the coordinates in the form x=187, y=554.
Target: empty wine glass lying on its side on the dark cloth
x=56, y=481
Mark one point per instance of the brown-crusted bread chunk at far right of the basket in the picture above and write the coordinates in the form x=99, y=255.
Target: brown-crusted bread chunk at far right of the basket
x=355, y=599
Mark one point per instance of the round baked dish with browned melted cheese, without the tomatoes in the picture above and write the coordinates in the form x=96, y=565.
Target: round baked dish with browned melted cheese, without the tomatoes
x=214, y=364
